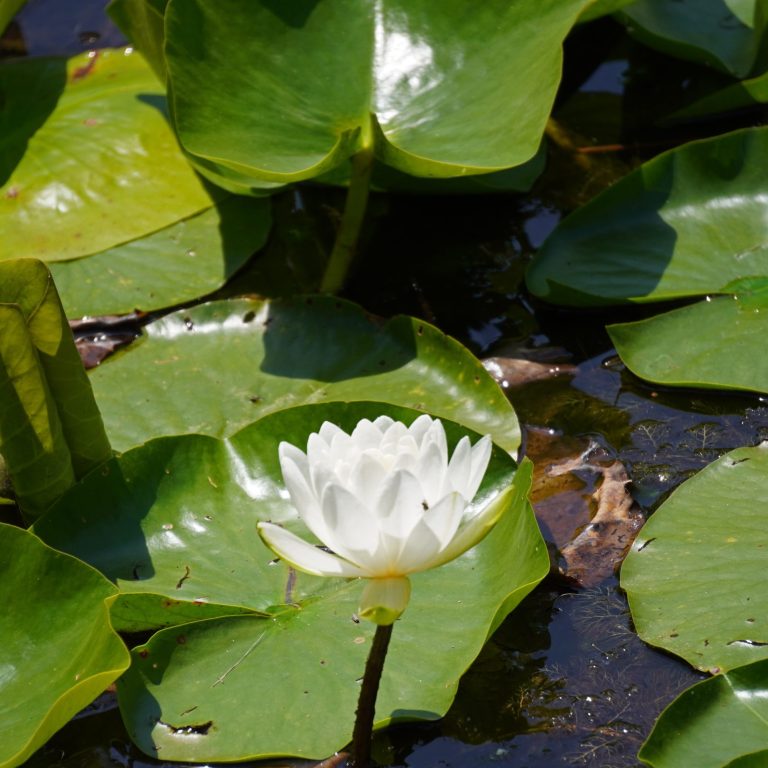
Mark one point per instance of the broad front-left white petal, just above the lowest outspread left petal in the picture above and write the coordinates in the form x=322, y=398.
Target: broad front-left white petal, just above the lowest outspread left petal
x=353, y=532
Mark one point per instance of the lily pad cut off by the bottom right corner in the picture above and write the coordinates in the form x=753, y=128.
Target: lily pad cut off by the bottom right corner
x=720, y=723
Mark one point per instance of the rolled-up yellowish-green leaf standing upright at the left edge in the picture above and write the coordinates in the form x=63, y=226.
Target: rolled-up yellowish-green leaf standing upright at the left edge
x=51, y=432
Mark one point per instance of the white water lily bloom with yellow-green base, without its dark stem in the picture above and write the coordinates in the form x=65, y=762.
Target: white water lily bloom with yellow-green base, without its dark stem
x=386, y=501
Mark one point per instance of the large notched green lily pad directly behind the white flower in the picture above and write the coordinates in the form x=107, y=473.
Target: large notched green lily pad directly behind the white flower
x=185, y=509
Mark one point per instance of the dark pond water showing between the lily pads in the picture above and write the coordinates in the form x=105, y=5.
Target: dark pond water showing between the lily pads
x=564, y=681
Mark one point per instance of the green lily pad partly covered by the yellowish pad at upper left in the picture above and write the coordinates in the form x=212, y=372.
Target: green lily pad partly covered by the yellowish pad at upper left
x=177, y=264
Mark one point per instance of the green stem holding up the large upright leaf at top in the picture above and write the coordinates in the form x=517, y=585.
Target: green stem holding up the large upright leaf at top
x=351, y=221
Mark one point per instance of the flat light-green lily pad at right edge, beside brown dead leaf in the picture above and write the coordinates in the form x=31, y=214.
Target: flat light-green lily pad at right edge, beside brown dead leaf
x=695, y=576
